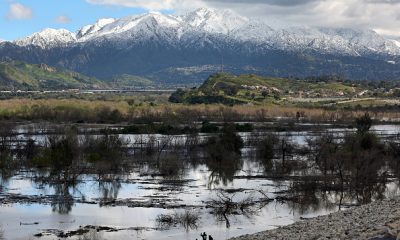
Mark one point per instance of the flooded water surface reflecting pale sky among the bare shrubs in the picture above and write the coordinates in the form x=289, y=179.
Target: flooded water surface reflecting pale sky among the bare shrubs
x=139, y=197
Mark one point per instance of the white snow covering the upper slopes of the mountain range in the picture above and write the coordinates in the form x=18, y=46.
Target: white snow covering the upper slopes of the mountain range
x=200, y=27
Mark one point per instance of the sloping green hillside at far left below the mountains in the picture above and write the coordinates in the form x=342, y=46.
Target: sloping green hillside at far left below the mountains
x=23, y=76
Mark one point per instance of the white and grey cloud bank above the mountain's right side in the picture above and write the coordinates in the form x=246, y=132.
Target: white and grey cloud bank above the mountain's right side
x=382, y=15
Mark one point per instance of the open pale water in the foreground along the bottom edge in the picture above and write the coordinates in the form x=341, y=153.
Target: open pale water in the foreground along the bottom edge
x=271, y=216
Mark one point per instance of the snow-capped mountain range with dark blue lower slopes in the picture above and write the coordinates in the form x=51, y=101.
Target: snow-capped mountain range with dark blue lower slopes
x=185, y=49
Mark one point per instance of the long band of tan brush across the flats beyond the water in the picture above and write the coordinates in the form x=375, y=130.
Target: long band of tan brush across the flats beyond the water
x=121, y=110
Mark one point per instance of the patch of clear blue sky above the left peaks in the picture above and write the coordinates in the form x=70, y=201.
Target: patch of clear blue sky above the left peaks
x=45, y=12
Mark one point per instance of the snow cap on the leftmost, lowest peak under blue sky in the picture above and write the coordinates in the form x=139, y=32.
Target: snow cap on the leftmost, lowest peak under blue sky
x=48, y=38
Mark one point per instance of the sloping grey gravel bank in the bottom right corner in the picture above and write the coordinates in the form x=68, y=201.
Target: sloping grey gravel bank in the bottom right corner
x=378, y=220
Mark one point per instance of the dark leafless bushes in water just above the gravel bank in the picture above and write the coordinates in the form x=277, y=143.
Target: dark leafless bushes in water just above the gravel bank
x=356, y=161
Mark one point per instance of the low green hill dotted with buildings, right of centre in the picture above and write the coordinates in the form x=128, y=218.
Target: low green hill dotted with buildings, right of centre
x=230, y=89
